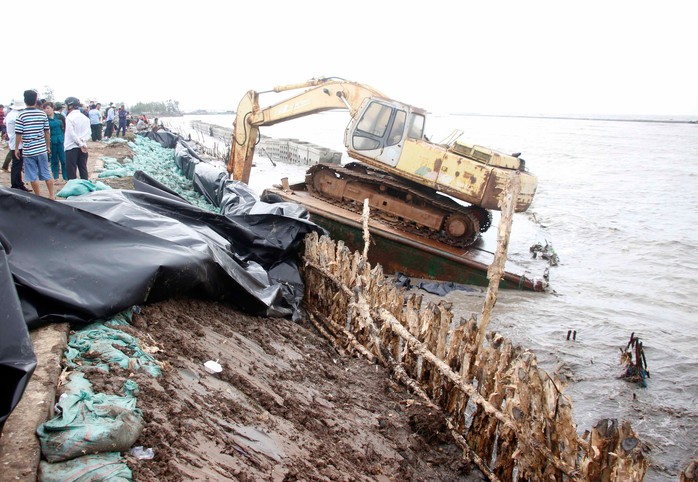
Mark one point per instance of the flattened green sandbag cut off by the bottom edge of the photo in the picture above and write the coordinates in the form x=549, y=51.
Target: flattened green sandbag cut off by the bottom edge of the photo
x=109, y=467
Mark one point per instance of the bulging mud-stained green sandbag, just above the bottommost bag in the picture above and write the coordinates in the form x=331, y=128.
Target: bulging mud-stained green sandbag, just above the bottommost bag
x=89, y=423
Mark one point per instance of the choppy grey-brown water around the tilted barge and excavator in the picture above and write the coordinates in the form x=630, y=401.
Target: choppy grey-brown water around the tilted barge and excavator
x=618, y=200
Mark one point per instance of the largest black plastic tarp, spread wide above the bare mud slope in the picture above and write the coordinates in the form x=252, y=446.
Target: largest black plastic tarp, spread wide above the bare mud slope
x=94, y=255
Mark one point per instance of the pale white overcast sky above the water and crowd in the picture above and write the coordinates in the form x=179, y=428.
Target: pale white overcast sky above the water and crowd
x=489, y=57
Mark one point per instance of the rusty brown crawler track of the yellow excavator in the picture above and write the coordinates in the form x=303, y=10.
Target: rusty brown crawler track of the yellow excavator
x=407, y=206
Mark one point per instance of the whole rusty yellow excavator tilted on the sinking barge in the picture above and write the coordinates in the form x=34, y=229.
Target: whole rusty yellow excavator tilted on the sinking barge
x=442, y=191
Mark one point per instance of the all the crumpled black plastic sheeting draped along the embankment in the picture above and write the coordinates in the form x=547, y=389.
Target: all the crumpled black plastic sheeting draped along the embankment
x=93, y=256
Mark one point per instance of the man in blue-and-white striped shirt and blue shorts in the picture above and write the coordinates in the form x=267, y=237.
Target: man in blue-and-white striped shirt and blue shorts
x=32, y=131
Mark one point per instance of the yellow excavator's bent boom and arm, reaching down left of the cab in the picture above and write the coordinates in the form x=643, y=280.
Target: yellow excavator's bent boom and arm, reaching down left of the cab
x=319, y=95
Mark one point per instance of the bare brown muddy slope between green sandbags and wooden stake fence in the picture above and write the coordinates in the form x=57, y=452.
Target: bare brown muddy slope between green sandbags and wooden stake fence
x=286, y=406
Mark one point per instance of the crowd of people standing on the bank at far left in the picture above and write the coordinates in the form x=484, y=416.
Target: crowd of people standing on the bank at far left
x=48, y=139
